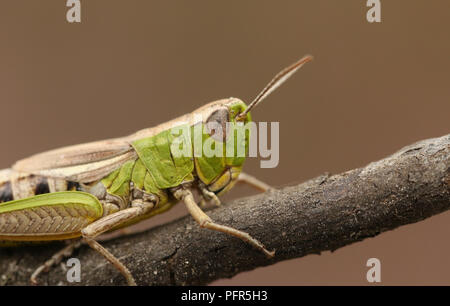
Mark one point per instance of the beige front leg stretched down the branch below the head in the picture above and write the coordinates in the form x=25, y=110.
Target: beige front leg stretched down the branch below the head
x=204, y=221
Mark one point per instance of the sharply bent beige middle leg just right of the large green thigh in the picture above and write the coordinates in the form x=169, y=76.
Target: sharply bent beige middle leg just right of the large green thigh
x=109, y=222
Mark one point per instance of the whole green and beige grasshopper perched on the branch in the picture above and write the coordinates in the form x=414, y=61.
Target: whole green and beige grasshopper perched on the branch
x=80, y=192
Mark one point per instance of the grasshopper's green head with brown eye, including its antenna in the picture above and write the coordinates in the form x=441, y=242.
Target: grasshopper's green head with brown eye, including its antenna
x=225, y=120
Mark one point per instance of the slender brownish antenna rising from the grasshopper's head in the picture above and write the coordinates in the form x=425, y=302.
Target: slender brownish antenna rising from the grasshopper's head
x=279, y=79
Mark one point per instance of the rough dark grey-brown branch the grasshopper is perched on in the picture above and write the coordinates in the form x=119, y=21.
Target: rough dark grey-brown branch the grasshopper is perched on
x=325, y=213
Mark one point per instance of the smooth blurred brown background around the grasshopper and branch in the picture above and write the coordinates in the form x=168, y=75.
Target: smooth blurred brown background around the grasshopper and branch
x=372, y=89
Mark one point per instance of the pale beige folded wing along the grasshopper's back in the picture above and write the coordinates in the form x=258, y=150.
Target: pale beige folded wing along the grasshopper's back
x=83, y=163
